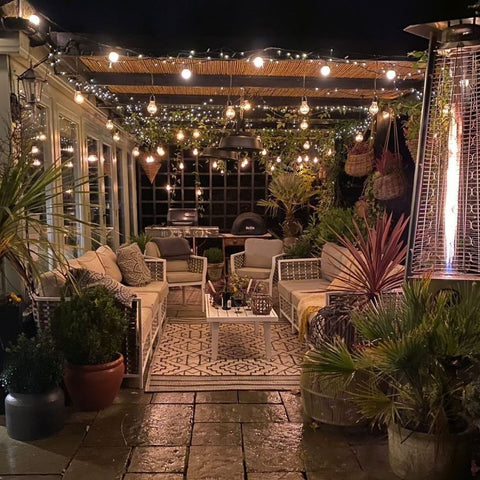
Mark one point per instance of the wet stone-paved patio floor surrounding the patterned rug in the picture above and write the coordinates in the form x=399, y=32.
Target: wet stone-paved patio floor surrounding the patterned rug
x=222, y=435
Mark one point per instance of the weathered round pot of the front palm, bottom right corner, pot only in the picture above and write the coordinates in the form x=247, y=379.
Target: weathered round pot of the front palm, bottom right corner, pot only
x=423, y=456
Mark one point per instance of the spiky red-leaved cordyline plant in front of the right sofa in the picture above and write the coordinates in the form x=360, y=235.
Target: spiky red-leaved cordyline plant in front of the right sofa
x=376, y=259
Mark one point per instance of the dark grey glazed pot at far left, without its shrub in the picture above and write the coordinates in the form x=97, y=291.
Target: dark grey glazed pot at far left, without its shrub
x=34, y=416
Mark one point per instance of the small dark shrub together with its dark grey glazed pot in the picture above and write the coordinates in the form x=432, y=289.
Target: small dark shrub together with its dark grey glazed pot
x=35, y=404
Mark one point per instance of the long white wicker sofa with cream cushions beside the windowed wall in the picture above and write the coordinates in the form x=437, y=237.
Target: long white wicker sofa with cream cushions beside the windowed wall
x=146, y=310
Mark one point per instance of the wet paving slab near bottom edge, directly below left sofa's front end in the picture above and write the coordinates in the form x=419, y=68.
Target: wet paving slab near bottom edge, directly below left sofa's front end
x=158, y=459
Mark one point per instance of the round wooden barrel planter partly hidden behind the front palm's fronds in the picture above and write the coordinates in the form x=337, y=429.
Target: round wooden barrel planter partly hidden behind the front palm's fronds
x=322, y=404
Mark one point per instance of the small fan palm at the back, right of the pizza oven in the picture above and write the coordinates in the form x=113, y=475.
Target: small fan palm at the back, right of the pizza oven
x=289, y=192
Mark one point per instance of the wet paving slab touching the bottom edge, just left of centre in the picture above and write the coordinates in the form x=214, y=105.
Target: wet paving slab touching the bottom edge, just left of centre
x=215, y=463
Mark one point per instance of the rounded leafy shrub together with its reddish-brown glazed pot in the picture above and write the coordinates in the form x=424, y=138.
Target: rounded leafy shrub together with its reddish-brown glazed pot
x=89, y=328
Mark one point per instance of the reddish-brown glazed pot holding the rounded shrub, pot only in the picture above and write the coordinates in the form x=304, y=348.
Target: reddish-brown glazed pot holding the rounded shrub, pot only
x=94, y=387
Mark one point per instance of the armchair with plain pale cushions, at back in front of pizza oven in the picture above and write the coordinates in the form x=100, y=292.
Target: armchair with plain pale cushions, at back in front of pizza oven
x=258, y=261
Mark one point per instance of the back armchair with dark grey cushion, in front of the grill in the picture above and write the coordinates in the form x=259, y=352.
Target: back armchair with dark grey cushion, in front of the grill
x=183, y=268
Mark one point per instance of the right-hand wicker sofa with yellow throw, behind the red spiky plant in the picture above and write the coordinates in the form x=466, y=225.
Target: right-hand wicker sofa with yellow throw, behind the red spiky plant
x=307, y=284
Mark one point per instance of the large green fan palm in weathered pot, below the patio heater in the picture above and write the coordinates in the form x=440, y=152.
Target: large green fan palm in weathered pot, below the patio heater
x=418, y=361
